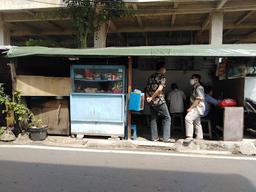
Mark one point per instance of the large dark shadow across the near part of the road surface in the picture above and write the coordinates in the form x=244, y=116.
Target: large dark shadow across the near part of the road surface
x=36, y=177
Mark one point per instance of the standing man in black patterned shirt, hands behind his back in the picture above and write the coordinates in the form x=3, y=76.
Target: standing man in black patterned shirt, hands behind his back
x=155, y=97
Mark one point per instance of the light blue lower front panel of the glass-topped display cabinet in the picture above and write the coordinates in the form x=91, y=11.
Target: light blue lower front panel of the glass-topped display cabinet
x=97, y=107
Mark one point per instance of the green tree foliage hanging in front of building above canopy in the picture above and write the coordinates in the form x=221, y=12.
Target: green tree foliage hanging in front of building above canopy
x=89, y=15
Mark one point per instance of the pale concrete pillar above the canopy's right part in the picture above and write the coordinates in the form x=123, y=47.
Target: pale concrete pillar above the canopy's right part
x=216, y=29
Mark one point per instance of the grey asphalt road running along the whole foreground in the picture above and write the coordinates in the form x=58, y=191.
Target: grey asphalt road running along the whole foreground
x=54, y=170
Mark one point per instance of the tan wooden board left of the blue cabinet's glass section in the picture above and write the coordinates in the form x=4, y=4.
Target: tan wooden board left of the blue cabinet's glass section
x=43, y=86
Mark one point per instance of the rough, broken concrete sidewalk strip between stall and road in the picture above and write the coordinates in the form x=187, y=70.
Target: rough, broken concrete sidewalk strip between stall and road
x=245, y=147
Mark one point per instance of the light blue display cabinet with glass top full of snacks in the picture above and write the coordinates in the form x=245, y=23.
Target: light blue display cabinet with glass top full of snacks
x=97, y=100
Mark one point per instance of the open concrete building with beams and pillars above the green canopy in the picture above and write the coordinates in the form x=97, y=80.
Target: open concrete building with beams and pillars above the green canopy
x=155, y=22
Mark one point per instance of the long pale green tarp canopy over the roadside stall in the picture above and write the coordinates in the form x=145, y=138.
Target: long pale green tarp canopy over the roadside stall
x=226, y=50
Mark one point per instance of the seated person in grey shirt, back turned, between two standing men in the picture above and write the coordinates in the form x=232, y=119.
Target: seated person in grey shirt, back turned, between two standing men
x=176, y=99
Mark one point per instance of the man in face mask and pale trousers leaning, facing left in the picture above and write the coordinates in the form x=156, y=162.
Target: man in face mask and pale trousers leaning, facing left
x=197, y=109
